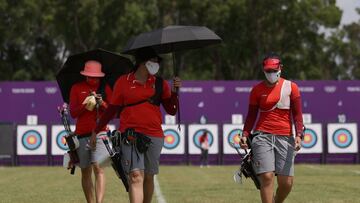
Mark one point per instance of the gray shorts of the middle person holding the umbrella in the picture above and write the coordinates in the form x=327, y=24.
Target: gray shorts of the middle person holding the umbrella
x=148, y=161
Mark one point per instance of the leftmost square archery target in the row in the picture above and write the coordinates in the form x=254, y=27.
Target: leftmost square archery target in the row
x=31, y=140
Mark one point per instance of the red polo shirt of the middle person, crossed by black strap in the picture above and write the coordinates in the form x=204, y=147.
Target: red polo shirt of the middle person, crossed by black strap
x=145, y=117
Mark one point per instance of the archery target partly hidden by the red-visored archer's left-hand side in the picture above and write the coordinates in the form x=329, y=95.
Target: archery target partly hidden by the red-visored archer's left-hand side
x=231, y=134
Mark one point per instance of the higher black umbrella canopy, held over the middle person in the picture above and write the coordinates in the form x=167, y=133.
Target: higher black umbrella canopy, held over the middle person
x=172, y=39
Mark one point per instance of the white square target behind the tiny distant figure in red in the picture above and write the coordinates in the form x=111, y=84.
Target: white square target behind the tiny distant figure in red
x=195, y=132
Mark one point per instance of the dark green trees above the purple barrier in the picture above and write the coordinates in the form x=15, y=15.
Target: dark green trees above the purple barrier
x=37, y=36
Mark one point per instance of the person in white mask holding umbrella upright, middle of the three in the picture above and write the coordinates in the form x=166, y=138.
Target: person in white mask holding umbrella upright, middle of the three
x=138, y=96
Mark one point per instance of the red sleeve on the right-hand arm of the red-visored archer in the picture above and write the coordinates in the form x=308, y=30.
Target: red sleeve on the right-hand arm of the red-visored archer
x=296, y=109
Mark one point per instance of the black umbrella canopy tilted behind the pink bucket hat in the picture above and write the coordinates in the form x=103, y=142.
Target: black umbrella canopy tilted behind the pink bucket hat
x=113, y=65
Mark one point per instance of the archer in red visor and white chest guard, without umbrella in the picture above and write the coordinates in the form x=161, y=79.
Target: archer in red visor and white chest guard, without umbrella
x=278, y=102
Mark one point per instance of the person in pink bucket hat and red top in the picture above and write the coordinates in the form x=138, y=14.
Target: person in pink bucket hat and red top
x=84, y=97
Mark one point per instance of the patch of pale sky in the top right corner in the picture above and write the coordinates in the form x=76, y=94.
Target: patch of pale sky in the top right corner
x=349, y=13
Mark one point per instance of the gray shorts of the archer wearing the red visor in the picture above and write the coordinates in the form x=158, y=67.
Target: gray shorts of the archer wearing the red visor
x=273, y=153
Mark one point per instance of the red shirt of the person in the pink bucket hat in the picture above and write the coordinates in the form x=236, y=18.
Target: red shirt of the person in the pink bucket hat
x=85, y=119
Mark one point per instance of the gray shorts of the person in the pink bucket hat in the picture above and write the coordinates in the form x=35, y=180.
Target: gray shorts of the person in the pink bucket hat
x=87, y=156
